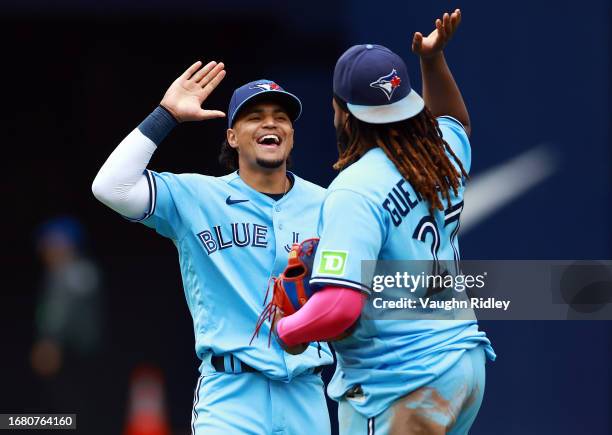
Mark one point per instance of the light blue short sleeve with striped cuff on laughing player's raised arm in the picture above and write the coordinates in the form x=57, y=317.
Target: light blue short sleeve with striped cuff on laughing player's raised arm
x=163, y=215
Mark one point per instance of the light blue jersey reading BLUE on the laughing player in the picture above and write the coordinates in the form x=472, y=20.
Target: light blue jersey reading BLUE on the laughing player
x=227, y=253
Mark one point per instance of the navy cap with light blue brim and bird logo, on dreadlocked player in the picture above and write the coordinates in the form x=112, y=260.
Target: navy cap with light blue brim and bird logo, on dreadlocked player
x=374, y=83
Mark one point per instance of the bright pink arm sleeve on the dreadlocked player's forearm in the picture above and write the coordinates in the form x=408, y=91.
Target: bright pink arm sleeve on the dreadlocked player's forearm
x=328, y=313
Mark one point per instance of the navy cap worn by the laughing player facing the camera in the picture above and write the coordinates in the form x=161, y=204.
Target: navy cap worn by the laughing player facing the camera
x=265, y=90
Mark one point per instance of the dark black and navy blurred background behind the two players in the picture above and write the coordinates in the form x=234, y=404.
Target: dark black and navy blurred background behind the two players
x=77, y=76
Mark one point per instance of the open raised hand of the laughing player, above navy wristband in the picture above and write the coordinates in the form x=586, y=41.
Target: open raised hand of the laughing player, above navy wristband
x=185, y=96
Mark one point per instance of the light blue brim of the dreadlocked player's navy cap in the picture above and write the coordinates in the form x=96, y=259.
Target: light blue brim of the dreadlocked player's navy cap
x=409, y=106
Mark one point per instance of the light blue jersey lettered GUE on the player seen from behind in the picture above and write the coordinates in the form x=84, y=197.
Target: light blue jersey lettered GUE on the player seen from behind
x=371, y=213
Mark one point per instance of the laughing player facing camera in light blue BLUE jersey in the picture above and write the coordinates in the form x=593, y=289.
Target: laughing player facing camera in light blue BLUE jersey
x=232, y=233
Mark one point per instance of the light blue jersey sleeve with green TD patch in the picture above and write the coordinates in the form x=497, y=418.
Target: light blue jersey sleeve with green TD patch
x=351, y=229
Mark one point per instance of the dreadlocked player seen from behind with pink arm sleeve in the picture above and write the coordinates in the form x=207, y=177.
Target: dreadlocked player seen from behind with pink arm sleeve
x=399, y=196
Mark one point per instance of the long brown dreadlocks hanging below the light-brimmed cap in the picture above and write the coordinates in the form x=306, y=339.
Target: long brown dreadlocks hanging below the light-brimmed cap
x=416, y=148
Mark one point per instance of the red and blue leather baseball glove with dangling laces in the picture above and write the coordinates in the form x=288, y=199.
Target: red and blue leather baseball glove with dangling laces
x=290, y=290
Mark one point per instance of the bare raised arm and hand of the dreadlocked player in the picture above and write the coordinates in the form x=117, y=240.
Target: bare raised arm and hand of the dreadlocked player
x=440, y=92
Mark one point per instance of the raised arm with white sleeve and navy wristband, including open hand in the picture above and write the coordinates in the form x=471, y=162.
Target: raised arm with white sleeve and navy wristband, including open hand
x=121, y=184
